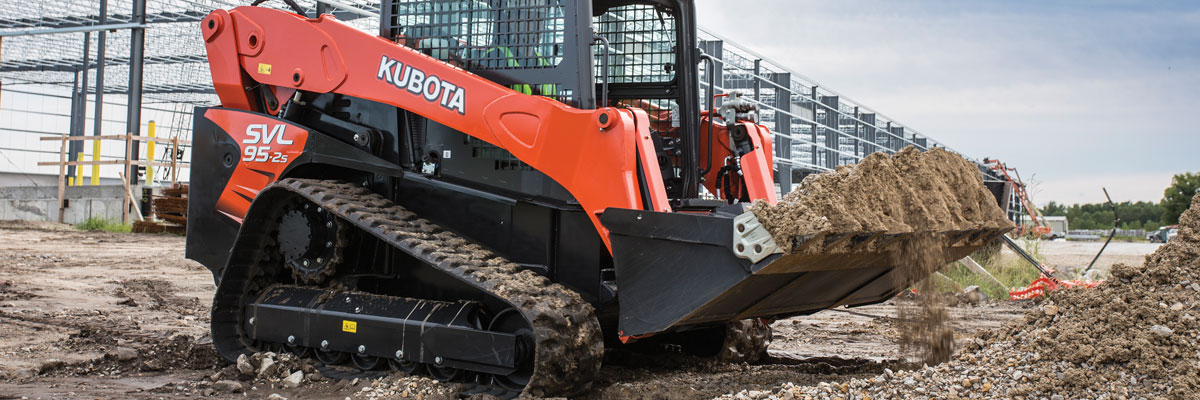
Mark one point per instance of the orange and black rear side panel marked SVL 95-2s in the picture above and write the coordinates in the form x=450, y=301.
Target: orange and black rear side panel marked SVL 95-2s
x=235, y=163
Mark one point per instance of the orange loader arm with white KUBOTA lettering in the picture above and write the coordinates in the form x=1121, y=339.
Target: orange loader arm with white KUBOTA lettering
x=604, y=158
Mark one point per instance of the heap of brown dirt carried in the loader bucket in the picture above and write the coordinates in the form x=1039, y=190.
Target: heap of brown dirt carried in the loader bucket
x=910, y=192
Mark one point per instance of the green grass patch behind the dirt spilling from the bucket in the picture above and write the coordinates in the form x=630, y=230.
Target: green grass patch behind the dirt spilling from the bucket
x=1009, y=268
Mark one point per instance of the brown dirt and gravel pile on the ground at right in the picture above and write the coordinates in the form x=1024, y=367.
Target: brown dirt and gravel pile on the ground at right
x=1133, y=337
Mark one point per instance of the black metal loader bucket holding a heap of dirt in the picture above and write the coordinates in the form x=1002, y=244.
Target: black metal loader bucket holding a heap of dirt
x=679, y=270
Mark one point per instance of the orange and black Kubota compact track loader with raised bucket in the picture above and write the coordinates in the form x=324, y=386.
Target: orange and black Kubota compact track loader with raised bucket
x=495, y=192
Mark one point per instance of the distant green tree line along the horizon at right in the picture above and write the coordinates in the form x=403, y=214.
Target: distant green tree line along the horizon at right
x=1135, y=216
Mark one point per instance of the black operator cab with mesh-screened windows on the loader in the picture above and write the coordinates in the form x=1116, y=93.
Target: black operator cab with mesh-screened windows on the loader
x=586, y=55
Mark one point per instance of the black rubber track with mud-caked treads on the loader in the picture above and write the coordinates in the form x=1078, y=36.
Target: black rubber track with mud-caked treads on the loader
x=569, y=347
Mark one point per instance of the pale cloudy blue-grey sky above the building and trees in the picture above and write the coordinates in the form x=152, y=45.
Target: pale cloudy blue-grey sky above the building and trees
x=1077, y=95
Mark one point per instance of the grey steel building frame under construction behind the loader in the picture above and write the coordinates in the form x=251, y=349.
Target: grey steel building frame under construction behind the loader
x=815, y=128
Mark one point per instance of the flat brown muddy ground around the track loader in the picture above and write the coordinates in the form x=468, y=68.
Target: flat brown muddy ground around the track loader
x=125, y=317
